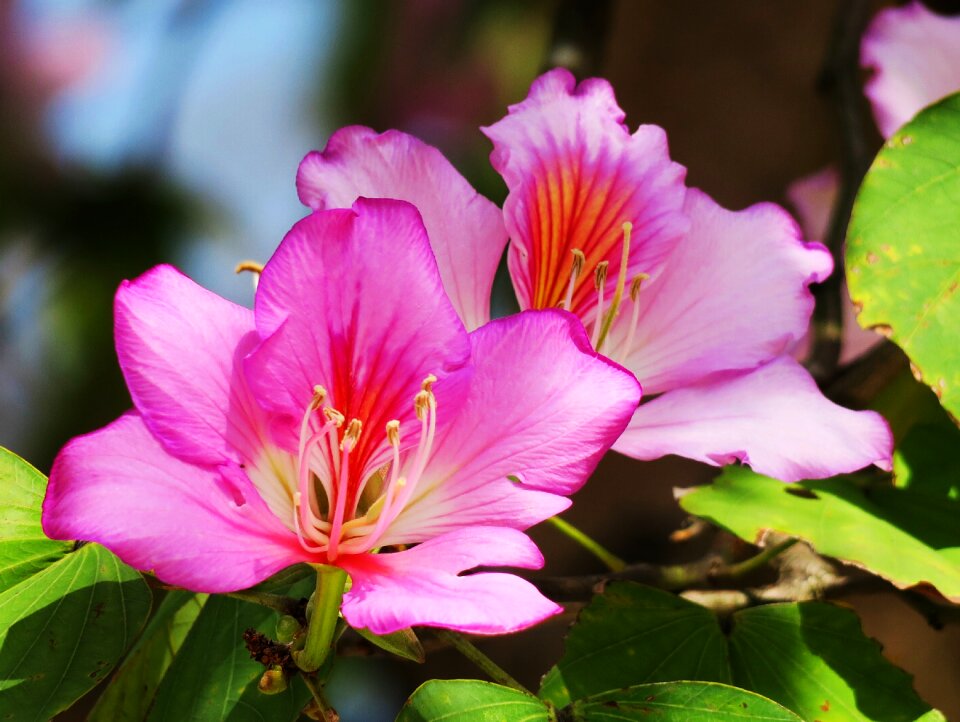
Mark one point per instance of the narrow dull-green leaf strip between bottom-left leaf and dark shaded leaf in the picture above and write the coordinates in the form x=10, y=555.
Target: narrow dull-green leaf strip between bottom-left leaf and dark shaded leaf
x=128, y=696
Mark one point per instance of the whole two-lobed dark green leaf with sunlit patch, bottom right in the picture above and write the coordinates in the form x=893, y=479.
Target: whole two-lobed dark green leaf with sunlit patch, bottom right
x=809, y=657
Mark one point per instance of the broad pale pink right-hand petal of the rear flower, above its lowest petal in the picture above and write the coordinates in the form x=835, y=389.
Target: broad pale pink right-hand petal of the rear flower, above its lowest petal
x=733, y=295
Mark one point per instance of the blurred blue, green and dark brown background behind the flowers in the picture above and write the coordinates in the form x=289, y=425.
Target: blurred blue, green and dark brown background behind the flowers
x=134, y=132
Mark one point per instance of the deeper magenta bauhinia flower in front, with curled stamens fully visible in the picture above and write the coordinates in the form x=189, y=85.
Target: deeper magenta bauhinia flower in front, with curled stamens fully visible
x=347, y=416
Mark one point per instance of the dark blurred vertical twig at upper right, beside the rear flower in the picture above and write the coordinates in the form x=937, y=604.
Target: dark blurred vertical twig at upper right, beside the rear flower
x=841, y=80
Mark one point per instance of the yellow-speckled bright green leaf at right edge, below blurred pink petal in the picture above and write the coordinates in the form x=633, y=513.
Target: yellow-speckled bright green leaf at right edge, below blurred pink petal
x=902, y=262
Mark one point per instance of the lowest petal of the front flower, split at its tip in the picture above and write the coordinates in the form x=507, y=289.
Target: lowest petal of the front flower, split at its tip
x=422, y=586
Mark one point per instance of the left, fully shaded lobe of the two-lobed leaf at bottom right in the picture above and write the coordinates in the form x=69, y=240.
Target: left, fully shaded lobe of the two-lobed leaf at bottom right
x=633, y=634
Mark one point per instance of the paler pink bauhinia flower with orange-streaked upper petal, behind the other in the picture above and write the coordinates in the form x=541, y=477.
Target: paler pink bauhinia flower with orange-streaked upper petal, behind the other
x=701, y=303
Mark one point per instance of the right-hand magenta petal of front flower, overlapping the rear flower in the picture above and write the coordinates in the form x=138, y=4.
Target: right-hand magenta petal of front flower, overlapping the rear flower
x=542, y=406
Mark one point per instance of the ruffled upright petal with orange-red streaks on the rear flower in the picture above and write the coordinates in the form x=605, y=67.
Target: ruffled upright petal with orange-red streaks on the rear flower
x=575, y=175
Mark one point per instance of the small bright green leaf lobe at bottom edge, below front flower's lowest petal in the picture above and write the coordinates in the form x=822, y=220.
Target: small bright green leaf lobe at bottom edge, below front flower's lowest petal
x=470, y=700
